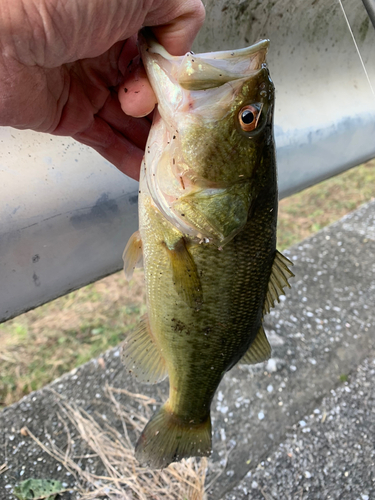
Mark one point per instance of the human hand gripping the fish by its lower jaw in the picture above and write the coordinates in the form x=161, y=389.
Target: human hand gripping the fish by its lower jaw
x=64, y=62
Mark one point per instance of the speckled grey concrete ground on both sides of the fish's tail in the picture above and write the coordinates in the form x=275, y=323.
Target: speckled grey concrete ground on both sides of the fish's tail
x=300, y=426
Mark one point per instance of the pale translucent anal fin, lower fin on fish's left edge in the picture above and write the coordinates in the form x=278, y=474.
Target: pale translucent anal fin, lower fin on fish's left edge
x=141, y=356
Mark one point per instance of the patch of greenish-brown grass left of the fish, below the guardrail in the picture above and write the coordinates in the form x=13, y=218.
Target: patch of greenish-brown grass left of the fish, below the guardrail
x=42, y=344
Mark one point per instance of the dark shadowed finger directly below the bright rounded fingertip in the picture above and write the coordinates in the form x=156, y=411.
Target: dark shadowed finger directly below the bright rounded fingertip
x=134, y=129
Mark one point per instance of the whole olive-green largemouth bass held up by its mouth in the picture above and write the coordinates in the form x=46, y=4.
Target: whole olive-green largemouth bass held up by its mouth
x=207, y=234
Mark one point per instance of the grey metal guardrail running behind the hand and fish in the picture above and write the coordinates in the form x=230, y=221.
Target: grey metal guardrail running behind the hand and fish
x=66, y=213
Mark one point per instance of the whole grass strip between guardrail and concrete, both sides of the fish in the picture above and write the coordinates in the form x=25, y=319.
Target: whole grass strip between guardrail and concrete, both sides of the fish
x=42, y=344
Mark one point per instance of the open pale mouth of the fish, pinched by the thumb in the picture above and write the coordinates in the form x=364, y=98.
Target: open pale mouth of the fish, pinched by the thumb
x=207, y=70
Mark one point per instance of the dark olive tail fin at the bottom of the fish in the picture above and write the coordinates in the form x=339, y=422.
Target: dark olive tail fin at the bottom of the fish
x=167, y=439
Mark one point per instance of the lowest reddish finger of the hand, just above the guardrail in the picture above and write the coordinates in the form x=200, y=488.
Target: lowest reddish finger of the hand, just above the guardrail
x=113, y=146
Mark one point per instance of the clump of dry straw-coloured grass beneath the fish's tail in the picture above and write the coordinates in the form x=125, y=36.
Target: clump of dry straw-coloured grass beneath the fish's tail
x=123, y=479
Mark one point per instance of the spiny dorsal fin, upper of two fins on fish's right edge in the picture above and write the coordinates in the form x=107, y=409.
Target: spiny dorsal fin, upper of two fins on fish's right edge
x=280, y=274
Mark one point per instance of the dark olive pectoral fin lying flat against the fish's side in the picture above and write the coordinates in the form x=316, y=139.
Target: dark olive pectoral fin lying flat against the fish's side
x=185, y=274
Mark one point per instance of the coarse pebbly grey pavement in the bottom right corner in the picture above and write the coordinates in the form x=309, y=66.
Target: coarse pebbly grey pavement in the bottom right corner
x=328, y=454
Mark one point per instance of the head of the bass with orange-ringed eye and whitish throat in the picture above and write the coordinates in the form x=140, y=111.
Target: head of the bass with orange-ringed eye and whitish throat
x=210, y=131
